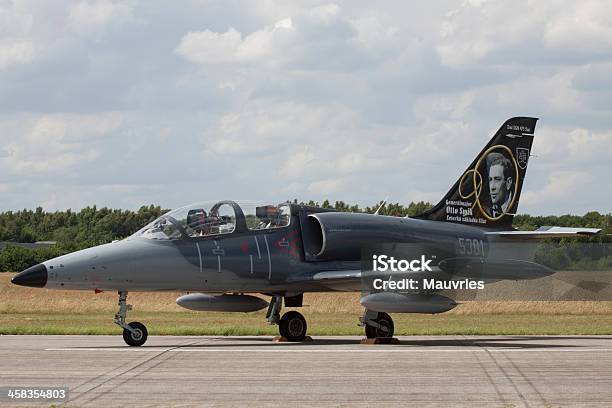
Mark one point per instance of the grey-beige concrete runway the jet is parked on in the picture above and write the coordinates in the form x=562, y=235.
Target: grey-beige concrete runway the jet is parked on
x=469, y=371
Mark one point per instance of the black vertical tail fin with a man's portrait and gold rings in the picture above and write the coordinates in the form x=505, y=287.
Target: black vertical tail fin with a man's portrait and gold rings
x=487, y=193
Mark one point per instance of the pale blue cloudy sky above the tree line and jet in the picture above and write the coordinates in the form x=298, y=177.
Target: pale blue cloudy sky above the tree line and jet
x=125, y=103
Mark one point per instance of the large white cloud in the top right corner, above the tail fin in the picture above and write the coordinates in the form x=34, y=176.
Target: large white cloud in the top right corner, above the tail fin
x=497, y=33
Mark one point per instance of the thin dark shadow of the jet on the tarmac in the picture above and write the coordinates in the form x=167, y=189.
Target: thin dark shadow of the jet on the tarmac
x=514, y=342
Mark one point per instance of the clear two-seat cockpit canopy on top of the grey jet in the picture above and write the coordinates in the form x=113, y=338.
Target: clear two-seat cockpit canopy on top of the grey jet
x=216, y=218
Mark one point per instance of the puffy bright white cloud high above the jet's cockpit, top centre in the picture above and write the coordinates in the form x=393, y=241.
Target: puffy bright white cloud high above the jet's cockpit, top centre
x=319, y=37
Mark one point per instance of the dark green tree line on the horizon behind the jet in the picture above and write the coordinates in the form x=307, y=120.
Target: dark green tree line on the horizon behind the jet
x=74, y=230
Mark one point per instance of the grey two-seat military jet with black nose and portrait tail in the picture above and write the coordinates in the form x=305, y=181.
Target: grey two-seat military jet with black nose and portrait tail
x=224, y=252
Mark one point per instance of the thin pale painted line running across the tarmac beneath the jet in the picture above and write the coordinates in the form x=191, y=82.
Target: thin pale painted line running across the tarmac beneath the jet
x=283, y=350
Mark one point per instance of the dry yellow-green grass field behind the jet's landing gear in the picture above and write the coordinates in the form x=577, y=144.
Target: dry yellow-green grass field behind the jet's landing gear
x=41, y=311
